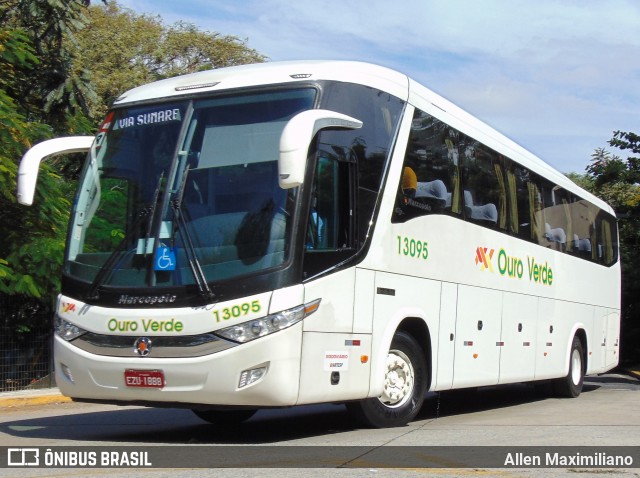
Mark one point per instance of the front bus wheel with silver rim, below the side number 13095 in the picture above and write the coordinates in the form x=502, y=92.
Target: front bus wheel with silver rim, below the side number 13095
x=405, y=383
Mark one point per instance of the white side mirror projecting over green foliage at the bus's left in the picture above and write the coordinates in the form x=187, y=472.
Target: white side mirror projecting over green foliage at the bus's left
x=28, y=170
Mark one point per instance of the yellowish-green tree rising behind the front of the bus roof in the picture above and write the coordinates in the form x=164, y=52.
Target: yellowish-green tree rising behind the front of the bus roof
x=122, y=50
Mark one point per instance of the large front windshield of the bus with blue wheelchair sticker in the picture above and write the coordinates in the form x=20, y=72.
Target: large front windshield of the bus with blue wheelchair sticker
x=185, y=192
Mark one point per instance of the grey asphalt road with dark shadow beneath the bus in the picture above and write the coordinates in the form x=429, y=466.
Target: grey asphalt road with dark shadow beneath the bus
x=607, y=414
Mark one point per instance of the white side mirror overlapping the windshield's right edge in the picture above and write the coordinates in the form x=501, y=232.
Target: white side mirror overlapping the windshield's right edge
x=297, y=136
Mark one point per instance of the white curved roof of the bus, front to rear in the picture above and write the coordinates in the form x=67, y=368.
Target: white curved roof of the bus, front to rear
x=375, y=76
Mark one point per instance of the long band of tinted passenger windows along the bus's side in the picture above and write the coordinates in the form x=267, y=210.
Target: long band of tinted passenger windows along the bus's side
x=447, y=172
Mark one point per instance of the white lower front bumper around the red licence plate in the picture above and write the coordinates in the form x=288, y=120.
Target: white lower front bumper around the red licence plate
x=212, y=379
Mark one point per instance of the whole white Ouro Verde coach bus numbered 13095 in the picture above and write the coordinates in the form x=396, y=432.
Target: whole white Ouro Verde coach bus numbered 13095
x=308, y=232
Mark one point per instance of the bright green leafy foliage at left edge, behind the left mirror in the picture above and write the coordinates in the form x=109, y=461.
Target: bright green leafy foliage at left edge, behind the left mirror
x=35, y=233
